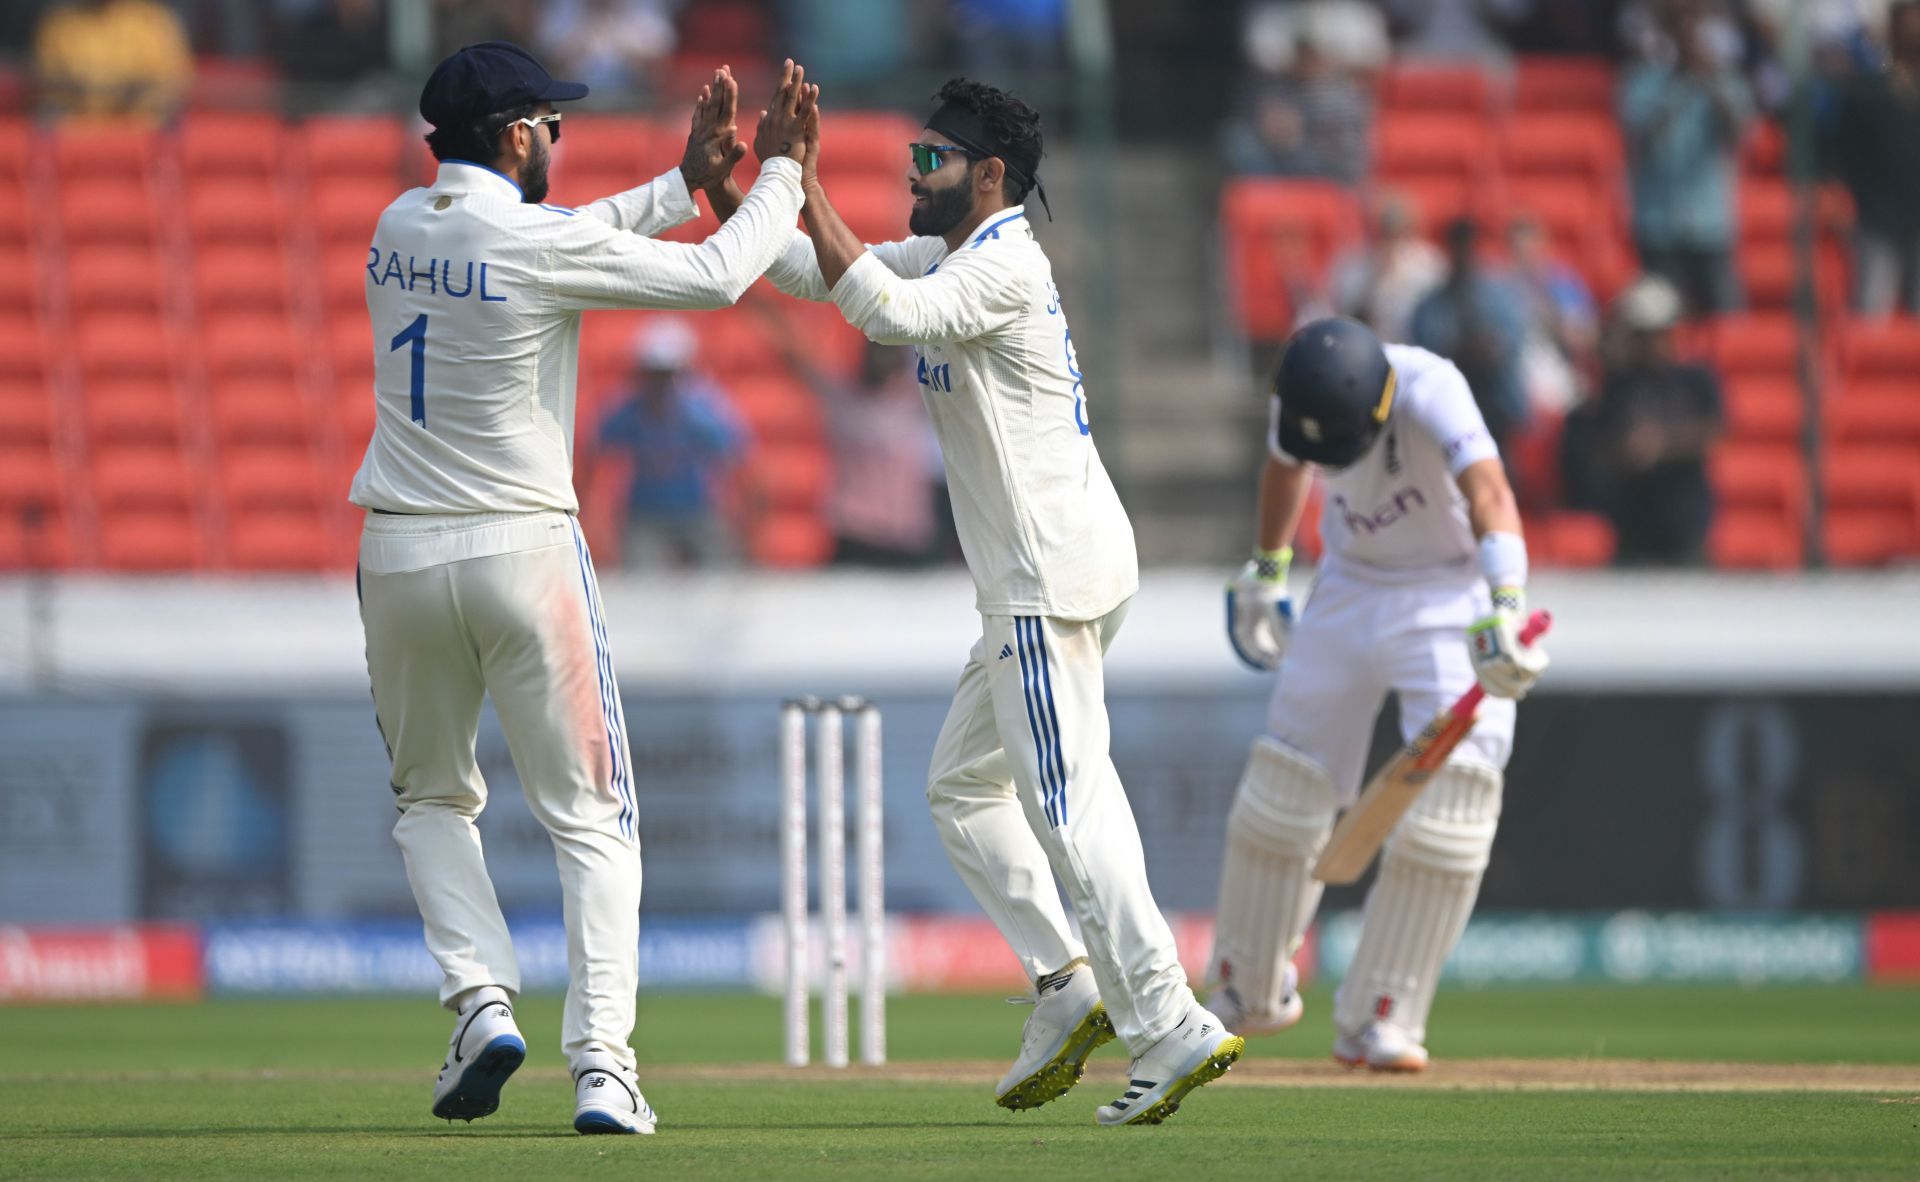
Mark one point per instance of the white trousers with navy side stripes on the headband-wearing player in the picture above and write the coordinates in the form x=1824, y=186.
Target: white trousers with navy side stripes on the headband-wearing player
x=1024, y=792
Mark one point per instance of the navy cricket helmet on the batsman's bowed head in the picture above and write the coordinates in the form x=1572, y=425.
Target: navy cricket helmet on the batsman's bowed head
x=1335, y=390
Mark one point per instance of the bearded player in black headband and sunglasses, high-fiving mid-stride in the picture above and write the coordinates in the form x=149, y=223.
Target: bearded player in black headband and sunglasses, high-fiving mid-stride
x=1022, y=788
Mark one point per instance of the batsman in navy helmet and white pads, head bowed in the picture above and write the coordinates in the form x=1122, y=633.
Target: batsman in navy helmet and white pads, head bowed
x=1422, y=592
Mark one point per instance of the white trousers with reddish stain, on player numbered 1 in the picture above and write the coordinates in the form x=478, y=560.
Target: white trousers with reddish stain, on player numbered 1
x=521, y=625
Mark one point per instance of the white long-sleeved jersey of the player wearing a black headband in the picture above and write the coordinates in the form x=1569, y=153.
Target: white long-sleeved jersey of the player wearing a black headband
x=1038, y=517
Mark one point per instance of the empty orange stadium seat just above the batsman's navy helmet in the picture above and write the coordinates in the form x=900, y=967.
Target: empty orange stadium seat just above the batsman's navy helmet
x=1274, y=229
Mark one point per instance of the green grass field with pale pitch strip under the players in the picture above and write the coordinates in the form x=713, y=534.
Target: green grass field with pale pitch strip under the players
x=310, y=1089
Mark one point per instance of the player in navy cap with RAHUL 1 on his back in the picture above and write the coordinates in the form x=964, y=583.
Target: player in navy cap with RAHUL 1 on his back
x=473, y=573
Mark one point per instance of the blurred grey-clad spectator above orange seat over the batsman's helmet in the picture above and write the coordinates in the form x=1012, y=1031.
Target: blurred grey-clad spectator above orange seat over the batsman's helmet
x=1305, y=112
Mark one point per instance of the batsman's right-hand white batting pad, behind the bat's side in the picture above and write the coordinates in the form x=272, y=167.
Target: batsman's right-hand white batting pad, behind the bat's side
x=1420, y=905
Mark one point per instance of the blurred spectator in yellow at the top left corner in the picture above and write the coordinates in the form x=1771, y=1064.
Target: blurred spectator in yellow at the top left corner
x=112, y=60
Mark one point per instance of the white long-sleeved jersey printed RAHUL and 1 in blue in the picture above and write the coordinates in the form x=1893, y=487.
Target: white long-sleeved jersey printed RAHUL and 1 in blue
x=475, y=302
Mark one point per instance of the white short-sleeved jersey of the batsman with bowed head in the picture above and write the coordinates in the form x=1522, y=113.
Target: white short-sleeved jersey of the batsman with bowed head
x=1397, y=515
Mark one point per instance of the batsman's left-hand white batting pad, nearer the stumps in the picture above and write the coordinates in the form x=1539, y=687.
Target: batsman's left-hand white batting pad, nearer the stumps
x=1282, y=818
